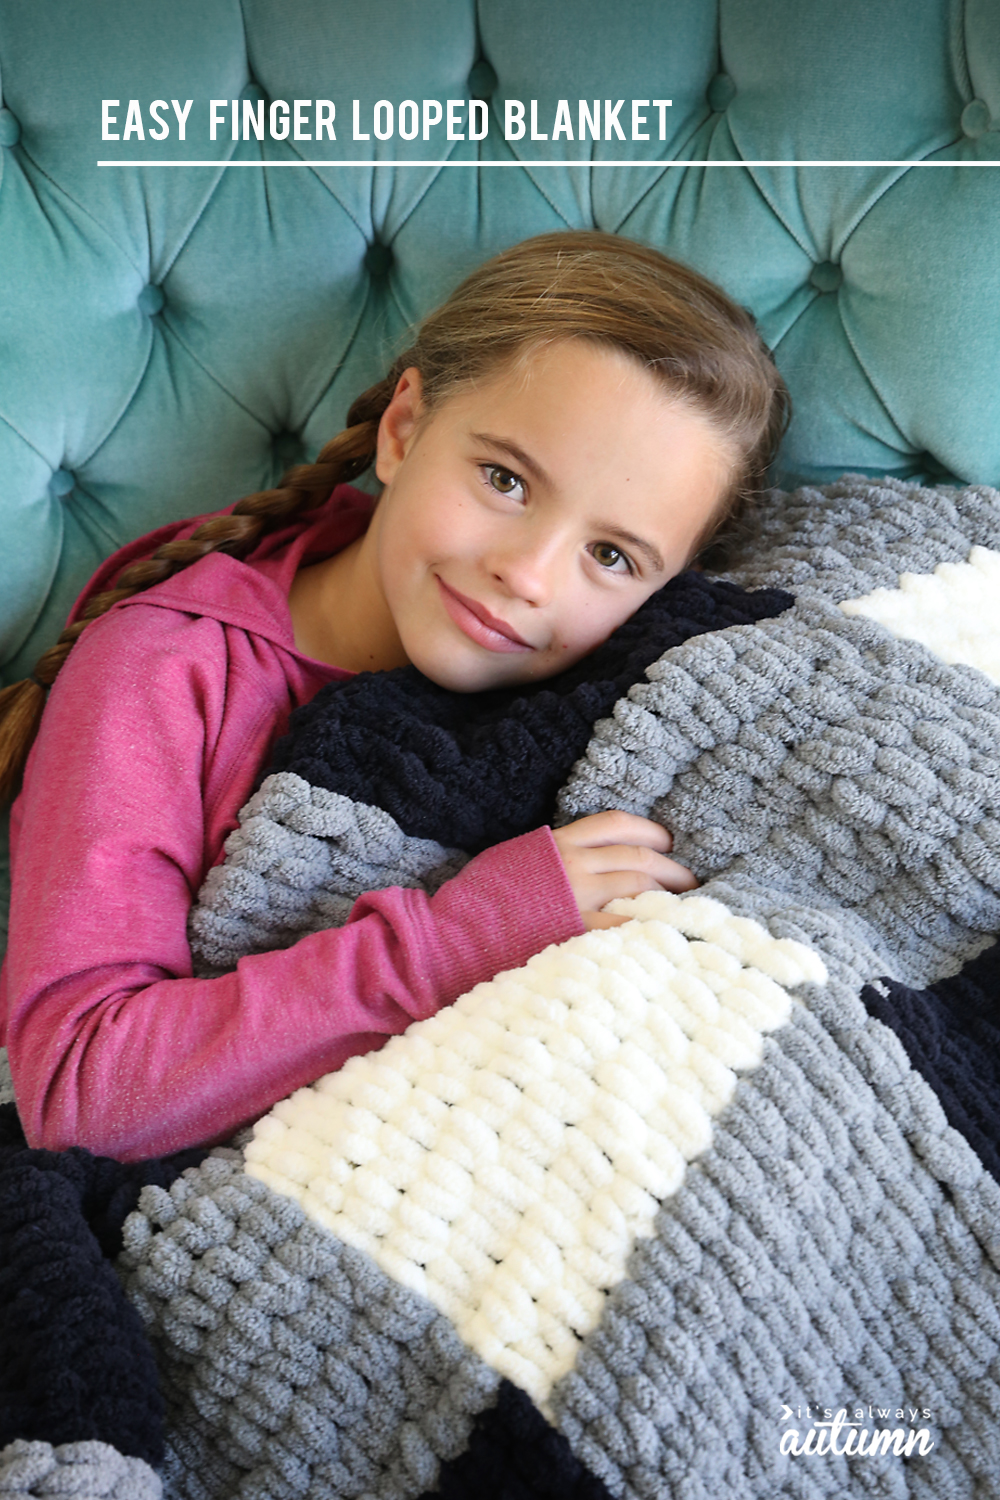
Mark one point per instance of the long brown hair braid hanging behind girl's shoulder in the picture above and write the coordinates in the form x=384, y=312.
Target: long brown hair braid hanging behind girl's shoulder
x=304, y=488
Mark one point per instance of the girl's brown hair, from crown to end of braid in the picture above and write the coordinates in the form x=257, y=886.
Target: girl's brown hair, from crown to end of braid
x=570, y=286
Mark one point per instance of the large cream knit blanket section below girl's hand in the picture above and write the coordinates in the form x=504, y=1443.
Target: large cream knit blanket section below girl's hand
x=503, y=1157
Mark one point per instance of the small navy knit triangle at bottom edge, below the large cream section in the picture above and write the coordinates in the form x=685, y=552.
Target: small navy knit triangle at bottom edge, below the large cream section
x=515, y=1454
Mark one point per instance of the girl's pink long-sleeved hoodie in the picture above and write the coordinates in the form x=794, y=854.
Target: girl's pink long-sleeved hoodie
x=152, y=742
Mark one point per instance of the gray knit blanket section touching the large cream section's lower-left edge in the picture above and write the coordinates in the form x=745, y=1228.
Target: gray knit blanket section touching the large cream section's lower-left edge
x=292, y=1366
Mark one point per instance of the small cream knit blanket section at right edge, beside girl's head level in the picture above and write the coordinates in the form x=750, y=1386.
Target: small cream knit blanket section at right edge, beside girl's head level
x=953, y=611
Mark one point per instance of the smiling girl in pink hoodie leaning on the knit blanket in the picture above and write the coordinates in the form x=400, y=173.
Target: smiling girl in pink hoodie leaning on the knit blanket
x=564, y=436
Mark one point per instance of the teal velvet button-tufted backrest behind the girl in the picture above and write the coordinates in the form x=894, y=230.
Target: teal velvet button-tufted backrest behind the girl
x=173, y=337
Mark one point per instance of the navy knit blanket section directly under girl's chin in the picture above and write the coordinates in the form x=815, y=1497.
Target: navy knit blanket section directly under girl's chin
x=475, y=769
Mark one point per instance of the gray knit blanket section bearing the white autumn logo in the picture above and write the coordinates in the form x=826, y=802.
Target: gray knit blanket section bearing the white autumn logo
x=839, y=1246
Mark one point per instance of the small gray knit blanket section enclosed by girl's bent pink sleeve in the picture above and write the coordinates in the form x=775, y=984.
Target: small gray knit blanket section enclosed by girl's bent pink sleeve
x=298, y=863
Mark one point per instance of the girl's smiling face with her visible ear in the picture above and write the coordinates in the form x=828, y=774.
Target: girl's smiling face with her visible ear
x=528, y=517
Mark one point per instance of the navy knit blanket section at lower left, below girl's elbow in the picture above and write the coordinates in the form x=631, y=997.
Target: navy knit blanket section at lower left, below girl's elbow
x=77, y=1364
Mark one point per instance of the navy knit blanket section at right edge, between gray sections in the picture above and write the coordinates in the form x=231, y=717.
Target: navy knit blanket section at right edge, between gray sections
x=951, y=1034
